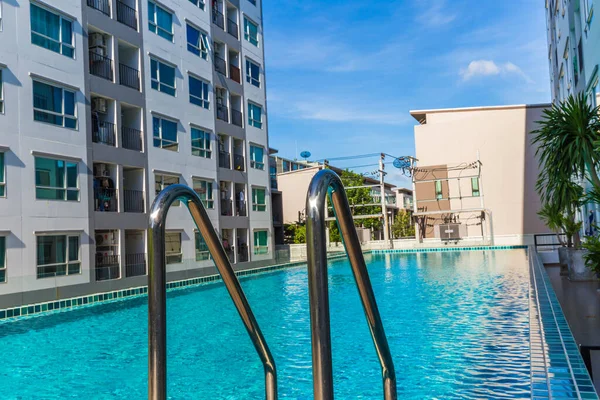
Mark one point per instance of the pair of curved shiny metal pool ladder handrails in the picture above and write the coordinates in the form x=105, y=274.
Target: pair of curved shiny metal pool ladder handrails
x=323, y=183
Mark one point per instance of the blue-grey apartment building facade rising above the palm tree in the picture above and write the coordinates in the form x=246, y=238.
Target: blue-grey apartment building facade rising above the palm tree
x=573, y=34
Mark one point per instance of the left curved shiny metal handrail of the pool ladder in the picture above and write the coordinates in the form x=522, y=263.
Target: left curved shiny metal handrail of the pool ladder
x=157, y=318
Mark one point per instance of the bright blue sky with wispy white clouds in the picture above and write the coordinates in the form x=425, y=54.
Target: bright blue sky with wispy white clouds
x=343, y=74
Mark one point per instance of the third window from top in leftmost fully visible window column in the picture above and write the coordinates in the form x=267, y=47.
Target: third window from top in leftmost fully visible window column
x=56, y=180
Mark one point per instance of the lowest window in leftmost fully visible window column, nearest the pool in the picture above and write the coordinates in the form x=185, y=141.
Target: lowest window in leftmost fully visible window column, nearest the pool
x=58, y=256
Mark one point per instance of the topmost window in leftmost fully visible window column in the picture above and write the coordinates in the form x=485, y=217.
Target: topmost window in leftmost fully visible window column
x=51, y=31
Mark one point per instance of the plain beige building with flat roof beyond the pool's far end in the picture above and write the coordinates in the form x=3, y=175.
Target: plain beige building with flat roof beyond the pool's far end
x=476, y=174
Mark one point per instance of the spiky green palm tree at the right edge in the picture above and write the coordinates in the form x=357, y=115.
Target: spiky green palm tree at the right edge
x=567, y=141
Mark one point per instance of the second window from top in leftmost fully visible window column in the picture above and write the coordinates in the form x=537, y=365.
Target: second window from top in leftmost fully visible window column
x=54, y=105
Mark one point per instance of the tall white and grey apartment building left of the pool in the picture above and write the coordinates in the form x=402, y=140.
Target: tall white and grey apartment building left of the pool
x=103, y=103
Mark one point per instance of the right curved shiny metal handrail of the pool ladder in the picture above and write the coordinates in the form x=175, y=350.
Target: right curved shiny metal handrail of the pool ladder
x=324, y=182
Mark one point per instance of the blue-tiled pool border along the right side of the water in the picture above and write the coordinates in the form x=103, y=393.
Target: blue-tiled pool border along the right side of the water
x=557, y=369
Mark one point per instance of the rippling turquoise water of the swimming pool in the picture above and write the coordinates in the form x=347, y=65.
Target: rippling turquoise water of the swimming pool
x=457, y=324
